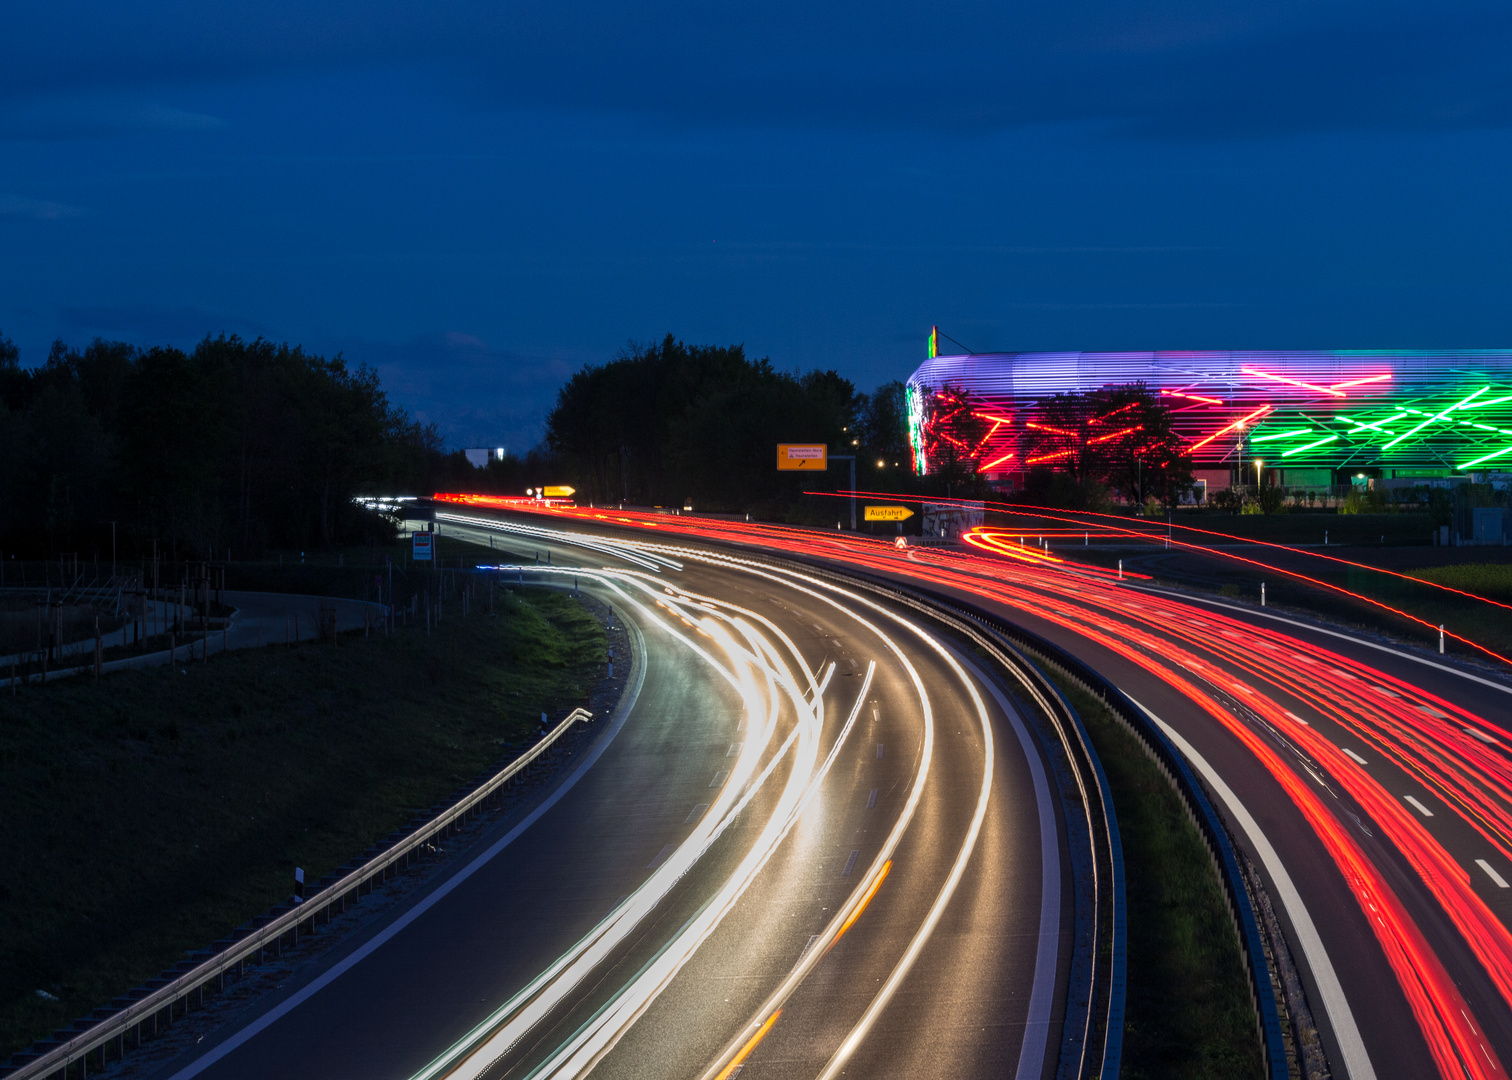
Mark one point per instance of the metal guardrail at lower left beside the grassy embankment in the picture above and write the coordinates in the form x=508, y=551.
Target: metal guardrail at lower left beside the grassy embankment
x=113, y=1034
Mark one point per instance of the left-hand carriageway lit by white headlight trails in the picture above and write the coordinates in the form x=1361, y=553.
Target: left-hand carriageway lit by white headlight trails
x=814, y=839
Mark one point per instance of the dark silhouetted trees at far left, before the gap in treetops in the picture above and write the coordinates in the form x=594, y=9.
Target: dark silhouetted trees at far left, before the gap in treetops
x=234, y=445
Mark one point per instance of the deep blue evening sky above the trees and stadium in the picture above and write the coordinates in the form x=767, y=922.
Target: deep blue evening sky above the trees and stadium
x=477, y=199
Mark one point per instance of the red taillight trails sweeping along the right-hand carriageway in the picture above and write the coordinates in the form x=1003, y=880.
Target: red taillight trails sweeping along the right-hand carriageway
x=1416, y=731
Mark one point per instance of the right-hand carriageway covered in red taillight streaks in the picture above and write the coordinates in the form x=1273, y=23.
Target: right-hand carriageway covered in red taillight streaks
x=1369, y=784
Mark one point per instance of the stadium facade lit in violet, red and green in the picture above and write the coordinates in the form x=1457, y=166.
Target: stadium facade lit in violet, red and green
x=1315, y=417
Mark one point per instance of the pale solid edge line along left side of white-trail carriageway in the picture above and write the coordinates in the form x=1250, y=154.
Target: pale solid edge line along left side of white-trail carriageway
x=294, y=1002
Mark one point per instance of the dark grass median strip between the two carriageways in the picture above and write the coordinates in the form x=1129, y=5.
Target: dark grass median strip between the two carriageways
x=1189, y=1004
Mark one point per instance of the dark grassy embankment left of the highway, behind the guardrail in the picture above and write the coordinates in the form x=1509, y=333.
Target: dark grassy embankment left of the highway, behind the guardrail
x=156, y=810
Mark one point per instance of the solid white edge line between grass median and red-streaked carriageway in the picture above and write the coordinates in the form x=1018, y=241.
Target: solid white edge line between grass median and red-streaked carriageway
x=1357, y=1061
